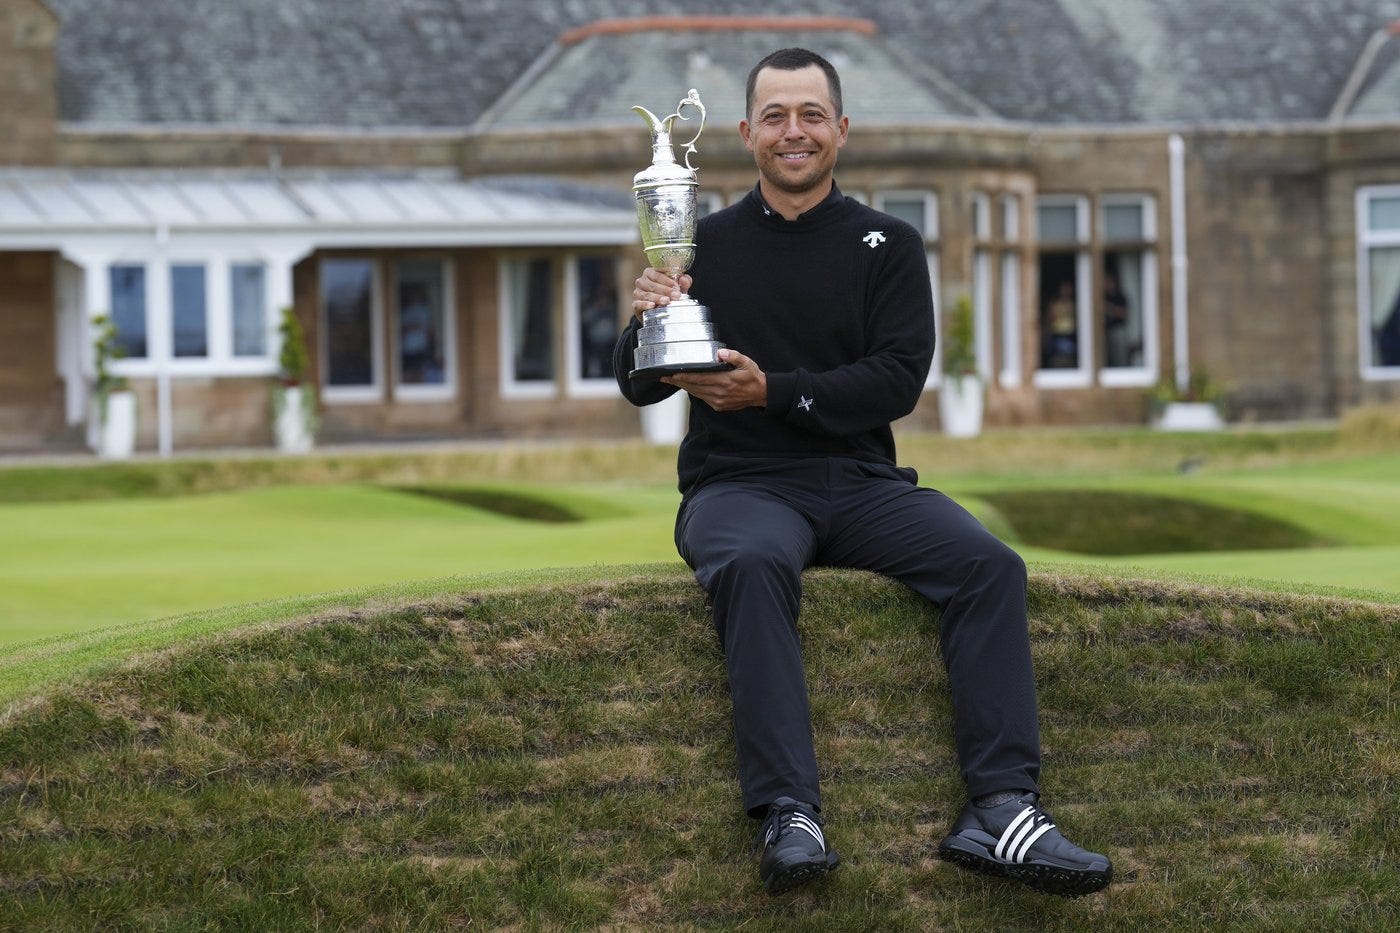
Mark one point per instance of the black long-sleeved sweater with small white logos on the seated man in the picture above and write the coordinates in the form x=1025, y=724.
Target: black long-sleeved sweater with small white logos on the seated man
x=835, y=307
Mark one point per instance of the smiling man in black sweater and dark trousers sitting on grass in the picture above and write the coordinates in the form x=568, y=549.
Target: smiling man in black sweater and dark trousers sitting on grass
x=790, y=463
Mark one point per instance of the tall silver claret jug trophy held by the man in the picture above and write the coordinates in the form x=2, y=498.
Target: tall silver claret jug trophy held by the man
x=678, y=337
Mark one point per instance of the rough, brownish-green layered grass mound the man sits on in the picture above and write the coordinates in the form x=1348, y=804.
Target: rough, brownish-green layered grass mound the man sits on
x=562, y=759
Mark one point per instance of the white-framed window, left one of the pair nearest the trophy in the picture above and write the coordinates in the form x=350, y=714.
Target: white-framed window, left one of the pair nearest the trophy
x=527, y=329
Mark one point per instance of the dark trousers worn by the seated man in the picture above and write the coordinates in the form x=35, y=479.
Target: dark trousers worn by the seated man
x=748, y=536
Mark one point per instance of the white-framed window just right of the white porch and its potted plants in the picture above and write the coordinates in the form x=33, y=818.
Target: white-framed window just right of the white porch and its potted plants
x=351, y=331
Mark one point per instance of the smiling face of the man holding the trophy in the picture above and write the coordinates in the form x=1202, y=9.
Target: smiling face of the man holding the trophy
x=794, y=134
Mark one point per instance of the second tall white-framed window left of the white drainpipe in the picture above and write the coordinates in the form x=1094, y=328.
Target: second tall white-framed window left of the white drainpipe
x=1063, y=265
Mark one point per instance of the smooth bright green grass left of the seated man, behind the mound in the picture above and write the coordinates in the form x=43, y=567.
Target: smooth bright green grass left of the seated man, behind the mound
x=76, y=567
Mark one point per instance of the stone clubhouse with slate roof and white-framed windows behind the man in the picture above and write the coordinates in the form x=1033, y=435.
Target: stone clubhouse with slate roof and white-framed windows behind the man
x=1128, y=194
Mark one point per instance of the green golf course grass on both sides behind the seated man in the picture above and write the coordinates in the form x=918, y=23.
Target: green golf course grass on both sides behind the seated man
x=78, y=565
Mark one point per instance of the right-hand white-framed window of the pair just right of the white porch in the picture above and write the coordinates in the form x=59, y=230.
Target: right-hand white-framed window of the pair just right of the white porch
x=423, y=345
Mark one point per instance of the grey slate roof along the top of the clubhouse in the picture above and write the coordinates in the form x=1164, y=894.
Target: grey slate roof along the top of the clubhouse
x=443, y=64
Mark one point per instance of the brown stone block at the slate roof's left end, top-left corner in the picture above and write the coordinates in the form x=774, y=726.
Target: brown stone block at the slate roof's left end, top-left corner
x=29, y=83
